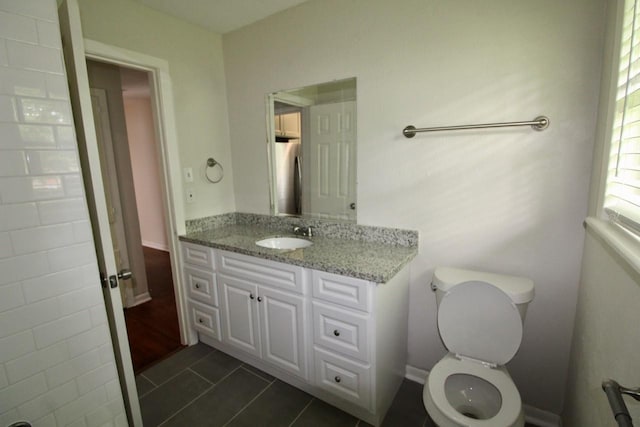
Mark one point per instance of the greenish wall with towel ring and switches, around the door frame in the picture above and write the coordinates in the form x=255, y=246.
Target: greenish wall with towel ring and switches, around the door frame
x=195, y=64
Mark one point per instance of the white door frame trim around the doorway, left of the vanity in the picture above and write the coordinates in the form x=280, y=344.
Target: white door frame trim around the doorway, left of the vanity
x=167, y=152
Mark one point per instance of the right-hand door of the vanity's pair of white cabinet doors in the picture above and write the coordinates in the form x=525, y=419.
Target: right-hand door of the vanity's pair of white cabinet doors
x=282, y=318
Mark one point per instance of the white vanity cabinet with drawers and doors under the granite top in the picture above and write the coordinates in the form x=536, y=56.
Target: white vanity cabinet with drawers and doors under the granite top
x=341, y=339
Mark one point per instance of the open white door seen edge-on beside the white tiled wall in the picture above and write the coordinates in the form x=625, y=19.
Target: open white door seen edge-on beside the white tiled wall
x=73, y=48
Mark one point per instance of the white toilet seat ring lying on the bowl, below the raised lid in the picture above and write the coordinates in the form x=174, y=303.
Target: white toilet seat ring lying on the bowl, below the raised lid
x=436, y=402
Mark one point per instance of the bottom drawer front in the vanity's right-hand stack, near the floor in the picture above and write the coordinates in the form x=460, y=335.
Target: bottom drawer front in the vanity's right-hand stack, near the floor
x=344, y=378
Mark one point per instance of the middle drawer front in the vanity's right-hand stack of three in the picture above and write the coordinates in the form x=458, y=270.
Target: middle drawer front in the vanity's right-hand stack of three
x=341, y=331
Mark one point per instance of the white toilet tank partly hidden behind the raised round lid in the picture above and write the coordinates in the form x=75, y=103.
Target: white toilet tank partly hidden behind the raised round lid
x=519, y=289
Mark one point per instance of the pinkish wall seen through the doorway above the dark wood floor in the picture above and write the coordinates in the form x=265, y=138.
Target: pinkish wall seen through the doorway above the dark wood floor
x=146, y=176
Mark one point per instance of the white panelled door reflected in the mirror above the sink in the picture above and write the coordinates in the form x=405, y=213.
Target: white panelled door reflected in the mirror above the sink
x=332, y=148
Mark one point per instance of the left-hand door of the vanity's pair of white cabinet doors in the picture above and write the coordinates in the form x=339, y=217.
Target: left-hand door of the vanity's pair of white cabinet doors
x=240, y=314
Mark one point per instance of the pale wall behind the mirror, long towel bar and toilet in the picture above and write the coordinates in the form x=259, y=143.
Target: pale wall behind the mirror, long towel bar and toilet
x=509, y=200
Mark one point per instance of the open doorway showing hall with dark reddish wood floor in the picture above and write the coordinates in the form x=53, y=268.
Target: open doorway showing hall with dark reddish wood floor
x=124, y=121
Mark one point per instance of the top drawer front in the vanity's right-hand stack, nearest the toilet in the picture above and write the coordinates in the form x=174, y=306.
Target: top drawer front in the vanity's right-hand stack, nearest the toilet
x=347, y=291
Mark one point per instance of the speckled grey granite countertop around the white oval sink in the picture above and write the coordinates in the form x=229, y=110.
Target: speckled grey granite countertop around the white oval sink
x=374, y=261
